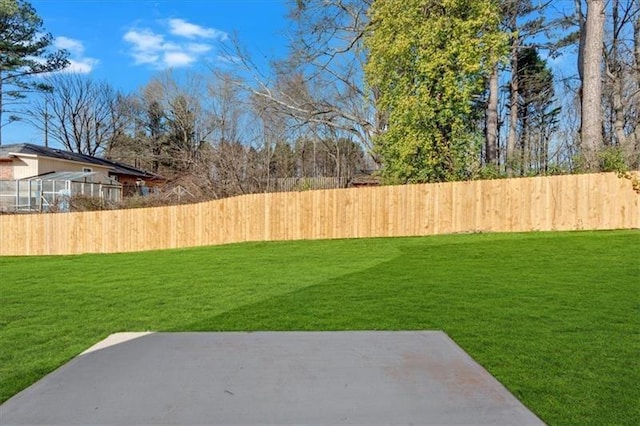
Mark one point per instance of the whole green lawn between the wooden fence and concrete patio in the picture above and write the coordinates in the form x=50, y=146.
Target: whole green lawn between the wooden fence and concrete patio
x=554, y=316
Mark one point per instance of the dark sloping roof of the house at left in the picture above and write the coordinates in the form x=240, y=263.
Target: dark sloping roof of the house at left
x=115, y=167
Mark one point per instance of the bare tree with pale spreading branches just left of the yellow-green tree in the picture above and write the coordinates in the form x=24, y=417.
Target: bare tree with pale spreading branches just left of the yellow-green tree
x=322, y=81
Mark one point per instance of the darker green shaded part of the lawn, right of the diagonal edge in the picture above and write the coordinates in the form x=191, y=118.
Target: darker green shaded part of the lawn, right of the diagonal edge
x=543, y=321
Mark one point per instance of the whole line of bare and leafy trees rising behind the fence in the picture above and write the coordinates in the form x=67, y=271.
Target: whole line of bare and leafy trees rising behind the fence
x=417, y=90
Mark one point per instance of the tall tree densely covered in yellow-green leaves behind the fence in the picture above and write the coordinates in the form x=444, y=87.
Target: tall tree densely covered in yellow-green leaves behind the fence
x=429, y=60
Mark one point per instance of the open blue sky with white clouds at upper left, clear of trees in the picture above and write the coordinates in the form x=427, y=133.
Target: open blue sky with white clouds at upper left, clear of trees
x=127, y=42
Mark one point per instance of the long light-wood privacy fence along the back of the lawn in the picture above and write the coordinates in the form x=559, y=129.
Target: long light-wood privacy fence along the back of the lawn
x=574, y=202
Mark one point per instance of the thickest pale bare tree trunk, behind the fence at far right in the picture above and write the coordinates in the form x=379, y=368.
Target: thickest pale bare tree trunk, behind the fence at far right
x=591, y=124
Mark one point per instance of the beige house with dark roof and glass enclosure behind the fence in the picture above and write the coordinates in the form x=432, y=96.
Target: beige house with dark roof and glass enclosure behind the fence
x=32, y=177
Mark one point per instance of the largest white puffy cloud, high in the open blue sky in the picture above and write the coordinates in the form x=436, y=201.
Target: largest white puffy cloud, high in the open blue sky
x=164, y=50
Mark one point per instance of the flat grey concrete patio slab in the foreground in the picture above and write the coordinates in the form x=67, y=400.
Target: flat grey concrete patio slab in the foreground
x=368, y=377
